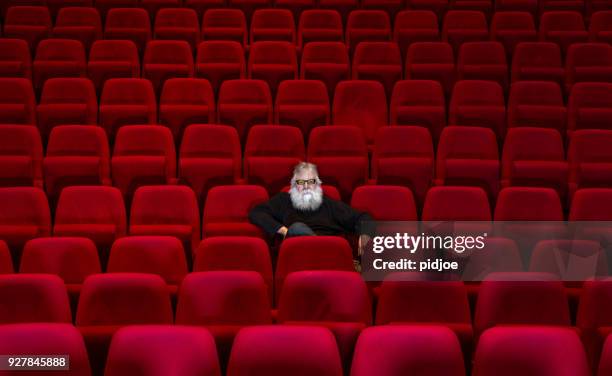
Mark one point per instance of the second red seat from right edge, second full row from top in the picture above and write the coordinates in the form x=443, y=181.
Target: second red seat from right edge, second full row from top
x=537, y=61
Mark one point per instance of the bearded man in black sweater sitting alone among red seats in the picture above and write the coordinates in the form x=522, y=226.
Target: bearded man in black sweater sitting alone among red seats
x=306, y=211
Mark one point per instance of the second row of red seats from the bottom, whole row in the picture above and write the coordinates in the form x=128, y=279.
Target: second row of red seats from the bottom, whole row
x=336, y=300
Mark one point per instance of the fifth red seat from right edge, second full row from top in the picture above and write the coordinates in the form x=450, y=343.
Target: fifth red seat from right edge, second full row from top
x=379, y=61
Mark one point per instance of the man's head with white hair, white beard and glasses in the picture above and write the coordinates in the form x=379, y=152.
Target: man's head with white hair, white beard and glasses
x=306, y=192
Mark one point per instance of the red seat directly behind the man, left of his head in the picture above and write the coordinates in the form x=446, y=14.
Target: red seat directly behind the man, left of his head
x=270, y=154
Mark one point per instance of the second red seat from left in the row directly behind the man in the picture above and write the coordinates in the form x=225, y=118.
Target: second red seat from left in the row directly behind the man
x=76, y=155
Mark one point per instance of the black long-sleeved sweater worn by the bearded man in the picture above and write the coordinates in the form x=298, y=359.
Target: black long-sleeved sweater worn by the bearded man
x=332, y=218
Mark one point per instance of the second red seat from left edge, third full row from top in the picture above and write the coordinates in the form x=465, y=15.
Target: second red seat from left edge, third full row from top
x=66, y=101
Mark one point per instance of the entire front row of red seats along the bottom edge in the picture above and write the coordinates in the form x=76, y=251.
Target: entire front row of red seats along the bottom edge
x=283, y=350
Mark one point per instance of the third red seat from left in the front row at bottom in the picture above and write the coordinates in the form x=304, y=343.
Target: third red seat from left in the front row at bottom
x=284, y=350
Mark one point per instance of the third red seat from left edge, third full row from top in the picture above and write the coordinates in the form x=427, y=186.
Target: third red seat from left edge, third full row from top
x=127, y=101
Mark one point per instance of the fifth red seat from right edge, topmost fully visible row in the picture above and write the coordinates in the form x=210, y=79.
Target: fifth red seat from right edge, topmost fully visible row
x=412, y=26
